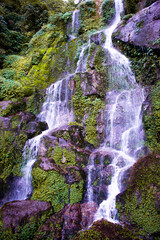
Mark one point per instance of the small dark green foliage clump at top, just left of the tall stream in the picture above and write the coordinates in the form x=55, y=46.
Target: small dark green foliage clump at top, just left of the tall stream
x=107, y=11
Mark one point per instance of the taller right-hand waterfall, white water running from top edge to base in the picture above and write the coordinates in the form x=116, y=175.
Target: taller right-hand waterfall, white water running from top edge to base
x=124, y=128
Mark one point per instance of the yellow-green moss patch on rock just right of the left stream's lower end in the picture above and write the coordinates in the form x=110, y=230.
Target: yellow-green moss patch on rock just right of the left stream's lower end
x=51, y=187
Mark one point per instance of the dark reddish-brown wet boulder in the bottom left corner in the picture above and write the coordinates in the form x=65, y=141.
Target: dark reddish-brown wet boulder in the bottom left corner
x=19, y=212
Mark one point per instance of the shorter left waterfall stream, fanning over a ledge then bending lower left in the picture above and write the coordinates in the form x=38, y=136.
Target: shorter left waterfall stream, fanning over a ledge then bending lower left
x=56, y=112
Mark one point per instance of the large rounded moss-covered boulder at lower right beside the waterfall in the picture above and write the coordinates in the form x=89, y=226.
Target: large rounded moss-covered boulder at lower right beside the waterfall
x=140, y=202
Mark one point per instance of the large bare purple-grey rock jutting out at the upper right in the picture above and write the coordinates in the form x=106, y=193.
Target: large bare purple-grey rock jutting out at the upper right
x=143, y=29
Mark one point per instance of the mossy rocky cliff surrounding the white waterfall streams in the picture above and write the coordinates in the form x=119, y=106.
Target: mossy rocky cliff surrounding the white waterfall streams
x=43, y=51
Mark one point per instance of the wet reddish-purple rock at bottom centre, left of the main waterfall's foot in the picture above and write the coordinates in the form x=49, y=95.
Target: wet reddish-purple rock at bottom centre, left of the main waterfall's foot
x=69, y=220
